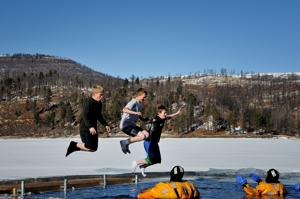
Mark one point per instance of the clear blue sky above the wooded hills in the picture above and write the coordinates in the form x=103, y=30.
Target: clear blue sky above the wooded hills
x=155, y=38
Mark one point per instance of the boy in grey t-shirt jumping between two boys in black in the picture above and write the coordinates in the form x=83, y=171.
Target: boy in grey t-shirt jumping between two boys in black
x=130, y=116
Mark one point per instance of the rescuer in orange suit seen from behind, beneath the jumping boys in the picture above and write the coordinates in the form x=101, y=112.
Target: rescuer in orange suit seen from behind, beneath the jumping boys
x=176, y=188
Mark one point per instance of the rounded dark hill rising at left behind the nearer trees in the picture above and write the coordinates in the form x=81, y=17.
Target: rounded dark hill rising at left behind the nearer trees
x=40, y=69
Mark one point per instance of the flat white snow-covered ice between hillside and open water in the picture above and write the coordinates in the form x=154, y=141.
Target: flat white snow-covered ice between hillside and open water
x=31, y=158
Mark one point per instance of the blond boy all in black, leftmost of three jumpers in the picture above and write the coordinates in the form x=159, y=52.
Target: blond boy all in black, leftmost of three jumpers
x=88, y=123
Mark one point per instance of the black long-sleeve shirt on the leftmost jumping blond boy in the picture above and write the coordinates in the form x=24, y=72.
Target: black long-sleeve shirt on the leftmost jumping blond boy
x=90, y=114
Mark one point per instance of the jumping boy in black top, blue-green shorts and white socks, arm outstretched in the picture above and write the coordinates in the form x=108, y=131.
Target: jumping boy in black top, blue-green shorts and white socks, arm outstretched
x=151, y=144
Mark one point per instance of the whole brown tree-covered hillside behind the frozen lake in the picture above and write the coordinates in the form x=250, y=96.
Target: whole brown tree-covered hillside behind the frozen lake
x=43, y=96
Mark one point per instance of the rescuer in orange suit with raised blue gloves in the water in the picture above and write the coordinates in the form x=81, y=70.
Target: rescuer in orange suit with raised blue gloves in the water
x=270, y=187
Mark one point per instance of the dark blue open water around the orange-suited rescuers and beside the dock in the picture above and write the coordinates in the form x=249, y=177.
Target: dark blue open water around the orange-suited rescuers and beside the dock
x=213, y=184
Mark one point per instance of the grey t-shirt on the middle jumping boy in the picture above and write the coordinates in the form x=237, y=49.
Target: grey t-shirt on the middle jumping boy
x=131, y=119
